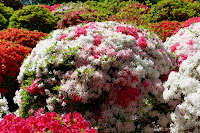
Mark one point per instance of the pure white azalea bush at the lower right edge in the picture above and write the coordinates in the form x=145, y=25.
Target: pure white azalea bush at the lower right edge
x=184, y=86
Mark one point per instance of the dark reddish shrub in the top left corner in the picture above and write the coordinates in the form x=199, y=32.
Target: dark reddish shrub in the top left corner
x=15, y=4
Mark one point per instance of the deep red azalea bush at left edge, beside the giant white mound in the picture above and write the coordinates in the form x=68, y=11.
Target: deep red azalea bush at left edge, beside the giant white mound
x=11, y=57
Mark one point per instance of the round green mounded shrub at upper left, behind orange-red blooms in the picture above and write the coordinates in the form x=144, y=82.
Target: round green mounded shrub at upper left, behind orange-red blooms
x=34, y=17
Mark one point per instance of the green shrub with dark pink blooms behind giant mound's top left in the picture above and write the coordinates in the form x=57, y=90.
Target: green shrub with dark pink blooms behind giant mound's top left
x=83, y=15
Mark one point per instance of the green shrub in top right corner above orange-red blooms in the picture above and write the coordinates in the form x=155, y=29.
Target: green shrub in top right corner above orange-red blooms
x=173, y=10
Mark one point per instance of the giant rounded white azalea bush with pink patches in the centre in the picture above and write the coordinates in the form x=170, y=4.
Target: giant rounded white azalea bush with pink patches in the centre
x=109, y=72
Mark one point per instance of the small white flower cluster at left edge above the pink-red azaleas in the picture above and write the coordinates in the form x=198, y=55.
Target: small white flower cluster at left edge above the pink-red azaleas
x=3, y=107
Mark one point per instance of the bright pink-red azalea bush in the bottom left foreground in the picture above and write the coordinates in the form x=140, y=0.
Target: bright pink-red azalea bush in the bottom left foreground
x=49, y=122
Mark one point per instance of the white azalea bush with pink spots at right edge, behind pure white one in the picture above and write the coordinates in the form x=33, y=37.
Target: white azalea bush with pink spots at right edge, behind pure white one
x=184, y=43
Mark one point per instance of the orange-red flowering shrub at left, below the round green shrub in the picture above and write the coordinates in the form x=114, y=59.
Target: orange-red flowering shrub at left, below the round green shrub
x=22, y=36
